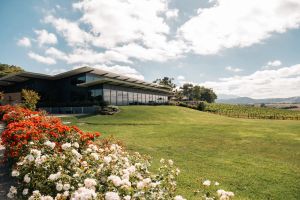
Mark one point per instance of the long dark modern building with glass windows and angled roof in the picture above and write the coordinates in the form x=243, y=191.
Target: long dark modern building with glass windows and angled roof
x=84, y=86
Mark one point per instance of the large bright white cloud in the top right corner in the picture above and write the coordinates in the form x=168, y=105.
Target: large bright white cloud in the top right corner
x=236, y=23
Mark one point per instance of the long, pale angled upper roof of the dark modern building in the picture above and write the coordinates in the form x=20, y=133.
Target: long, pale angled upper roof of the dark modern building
x=112, y=77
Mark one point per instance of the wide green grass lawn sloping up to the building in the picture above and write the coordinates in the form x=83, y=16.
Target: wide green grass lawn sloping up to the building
x=256, y=159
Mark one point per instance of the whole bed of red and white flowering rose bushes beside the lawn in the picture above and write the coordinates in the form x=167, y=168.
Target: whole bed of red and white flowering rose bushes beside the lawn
x=54, y=161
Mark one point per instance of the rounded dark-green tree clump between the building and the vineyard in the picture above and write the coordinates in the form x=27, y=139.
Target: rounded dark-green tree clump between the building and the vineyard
x=198, y=93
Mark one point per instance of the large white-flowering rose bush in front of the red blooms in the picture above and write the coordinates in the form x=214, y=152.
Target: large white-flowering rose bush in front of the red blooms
x=98, y=172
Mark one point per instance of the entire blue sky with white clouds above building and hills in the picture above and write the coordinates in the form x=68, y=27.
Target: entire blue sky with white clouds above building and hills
x=236, y=47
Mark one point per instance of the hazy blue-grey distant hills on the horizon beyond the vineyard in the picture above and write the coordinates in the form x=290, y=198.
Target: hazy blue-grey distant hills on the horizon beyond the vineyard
x=247, y=100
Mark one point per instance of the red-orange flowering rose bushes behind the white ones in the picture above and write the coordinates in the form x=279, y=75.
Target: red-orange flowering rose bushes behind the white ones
x=24, y=126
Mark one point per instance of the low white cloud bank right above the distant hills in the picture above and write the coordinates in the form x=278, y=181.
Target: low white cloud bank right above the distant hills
x=282, y=82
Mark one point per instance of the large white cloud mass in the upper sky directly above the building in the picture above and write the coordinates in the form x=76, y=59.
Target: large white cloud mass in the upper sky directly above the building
x=138, y=30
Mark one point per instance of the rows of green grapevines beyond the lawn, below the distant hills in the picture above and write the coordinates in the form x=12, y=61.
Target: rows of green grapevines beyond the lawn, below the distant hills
x=248, y=111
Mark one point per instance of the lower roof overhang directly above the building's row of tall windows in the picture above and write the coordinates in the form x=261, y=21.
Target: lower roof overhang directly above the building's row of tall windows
x=113, y=81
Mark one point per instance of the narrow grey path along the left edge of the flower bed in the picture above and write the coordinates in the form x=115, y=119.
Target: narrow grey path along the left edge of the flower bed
x=5, y=179
